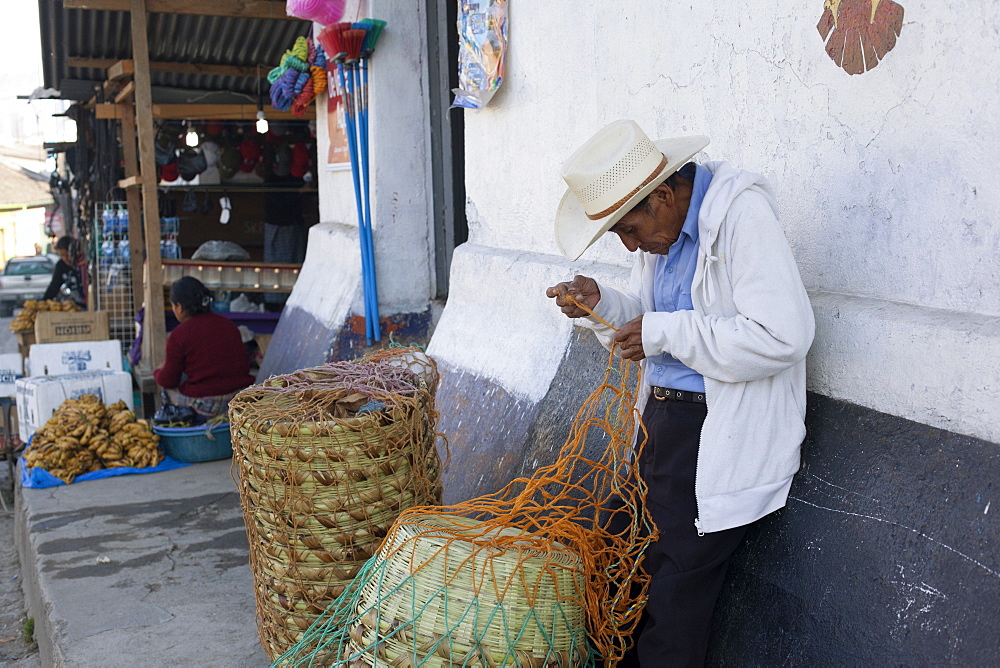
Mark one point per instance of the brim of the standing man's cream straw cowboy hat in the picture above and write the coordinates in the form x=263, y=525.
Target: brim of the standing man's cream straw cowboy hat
x=575, y=232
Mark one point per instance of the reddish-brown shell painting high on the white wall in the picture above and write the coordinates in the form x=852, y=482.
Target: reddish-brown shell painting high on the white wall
x=858, y=33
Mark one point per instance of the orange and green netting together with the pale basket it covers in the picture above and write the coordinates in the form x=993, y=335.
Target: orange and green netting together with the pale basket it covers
x=545, y=572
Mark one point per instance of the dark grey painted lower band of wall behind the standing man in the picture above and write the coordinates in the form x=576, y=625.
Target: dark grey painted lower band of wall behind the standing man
x=884, y=555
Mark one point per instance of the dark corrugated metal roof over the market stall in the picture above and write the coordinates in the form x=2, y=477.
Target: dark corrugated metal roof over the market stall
x=182, y=38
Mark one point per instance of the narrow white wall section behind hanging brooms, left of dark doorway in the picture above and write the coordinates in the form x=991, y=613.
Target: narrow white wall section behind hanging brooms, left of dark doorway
x=398, y=161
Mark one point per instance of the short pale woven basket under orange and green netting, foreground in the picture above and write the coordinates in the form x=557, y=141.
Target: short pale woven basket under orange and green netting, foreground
x=445, y=593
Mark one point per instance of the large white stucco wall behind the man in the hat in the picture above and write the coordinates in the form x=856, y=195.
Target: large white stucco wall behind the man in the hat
x=884, y=179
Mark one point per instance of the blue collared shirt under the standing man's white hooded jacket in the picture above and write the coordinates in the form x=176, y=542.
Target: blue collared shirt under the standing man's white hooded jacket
x=672, y=290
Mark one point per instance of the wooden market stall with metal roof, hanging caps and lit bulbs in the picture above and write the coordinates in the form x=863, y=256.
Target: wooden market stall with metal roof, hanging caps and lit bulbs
x=177, y=151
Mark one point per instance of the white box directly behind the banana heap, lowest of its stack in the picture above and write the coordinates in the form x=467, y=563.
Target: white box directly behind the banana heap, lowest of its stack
x=40, y=396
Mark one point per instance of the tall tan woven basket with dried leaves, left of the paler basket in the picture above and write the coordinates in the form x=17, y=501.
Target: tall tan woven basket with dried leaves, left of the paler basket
x=319, y=496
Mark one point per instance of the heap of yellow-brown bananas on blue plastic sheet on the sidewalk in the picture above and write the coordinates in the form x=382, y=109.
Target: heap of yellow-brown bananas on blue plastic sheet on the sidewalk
x=83, y=436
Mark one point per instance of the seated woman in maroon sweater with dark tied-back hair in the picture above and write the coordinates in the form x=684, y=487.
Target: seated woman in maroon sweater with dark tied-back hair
x=206, y=363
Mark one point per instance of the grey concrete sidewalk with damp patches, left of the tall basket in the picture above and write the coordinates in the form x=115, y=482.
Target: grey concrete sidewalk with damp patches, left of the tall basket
x=140, y=570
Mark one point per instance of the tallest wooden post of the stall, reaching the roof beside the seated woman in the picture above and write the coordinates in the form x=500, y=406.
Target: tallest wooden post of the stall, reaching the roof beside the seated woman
x=154, y=322
